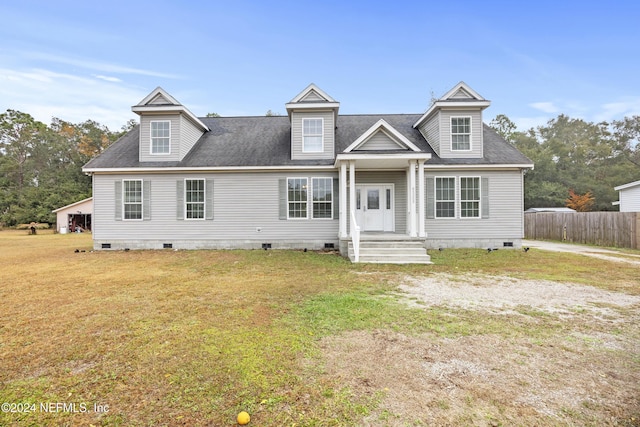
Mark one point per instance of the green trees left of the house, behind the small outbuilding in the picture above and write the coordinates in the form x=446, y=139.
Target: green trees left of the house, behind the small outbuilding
x=41, y=165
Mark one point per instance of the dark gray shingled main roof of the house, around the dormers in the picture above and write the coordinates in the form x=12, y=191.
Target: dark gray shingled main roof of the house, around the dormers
x=265, y=141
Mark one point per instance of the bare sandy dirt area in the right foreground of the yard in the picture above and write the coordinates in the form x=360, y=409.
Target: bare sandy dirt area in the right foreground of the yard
x=585, y=373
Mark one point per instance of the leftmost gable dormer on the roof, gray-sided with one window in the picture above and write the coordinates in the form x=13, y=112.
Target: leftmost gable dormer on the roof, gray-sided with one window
x=168, y=130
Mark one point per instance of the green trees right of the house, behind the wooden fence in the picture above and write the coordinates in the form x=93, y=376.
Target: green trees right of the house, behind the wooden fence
x=577, y=163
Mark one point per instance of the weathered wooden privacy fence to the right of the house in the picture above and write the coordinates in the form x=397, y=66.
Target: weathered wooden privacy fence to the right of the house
x=617, y=229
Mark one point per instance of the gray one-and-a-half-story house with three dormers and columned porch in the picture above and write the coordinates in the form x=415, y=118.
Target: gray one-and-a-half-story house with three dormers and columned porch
x=378, y=187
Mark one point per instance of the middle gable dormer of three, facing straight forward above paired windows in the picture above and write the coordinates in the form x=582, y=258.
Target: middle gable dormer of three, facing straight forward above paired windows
x=313, y=114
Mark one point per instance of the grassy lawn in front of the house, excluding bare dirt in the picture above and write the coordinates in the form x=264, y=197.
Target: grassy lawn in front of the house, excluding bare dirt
x=193, y=337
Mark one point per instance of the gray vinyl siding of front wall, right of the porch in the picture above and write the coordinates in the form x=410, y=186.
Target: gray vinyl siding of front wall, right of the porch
x=505, y=213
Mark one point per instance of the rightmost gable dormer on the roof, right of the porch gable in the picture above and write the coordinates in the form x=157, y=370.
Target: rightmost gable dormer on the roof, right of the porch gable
x=453, y=123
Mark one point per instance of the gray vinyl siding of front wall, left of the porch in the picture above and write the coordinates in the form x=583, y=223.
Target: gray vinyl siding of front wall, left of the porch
x=245, y=208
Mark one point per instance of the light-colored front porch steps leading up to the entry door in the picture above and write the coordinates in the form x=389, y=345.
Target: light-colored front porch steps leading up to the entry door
x=391, y=252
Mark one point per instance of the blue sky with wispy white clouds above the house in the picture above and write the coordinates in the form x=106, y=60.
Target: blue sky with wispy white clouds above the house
x=81, y=60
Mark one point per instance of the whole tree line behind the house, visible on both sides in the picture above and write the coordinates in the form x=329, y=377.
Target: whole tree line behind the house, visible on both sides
x=576, y=162
